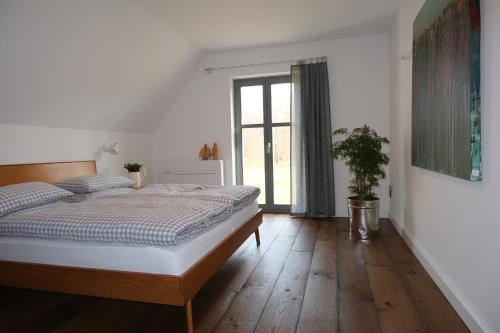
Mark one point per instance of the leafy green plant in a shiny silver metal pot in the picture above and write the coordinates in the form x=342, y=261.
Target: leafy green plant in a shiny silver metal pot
x=362, y=152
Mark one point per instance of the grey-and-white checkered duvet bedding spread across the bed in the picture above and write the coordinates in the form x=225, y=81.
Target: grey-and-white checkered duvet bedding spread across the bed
x=147, y=219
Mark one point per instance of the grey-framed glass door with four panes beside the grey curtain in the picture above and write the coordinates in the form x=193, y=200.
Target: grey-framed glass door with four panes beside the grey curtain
x=262, y=123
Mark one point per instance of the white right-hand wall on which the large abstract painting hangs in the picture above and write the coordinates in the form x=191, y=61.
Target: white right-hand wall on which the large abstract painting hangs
x=452, y=224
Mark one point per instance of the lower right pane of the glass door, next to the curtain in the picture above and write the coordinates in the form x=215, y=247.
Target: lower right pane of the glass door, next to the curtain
x=281, y=165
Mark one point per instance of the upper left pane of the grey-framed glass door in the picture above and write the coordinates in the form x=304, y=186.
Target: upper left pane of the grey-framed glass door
x=252, y=105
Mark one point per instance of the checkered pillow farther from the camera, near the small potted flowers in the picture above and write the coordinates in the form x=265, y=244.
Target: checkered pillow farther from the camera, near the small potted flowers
x=94, y=183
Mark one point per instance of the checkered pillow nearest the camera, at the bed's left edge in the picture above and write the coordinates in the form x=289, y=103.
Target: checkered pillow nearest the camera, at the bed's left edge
x=25, y=195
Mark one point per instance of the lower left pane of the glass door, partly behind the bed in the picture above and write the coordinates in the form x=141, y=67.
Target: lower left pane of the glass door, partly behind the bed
x=254, y=171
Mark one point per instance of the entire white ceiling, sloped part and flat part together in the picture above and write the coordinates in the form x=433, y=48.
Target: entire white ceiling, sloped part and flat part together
x=119, y=64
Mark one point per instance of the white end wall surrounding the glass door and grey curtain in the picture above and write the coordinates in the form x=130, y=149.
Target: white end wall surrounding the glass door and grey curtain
x=359, y=91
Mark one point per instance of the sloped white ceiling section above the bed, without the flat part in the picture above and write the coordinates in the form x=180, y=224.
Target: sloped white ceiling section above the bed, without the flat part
x=94, y=64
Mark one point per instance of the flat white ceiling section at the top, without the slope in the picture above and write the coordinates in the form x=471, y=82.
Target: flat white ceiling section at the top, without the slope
x=236, y=24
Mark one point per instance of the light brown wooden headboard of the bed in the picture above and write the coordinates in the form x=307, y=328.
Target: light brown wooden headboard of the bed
x=45, y=172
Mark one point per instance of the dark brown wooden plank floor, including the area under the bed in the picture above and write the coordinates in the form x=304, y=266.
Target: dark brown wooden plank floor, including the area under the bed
x=306, y=276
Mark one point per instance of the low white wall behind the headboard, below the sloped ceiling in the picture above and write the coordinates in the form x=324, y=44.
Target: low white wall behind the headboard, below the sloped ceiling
x=28, y=144
